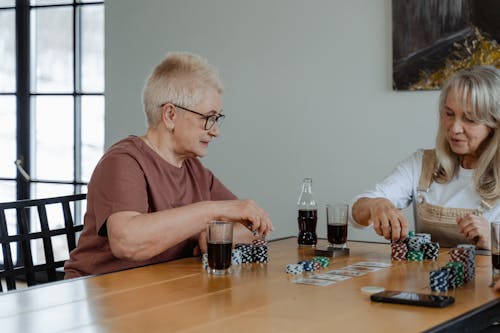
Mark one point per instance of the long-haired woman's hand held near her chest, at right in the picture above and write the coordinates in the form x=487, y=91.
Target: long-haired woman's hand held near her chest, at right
x=476, y=229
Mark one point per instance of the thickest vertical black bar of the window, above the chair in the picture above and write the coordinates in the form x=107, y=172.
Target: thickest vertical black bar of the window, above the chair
x=23, y=94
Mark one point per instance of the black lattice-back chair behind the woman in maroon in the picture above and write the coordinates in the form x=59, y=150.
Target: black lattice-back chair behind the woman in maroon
x=25, y=224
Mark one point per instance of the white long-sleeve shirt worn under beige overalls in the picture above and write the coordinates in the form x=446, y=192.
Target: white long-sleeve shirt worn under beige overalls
x=400, y=187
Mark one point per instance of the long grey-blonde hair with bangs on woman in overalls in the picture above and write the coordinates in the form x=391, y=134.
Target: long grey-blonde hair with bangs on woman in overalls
x=479, y=90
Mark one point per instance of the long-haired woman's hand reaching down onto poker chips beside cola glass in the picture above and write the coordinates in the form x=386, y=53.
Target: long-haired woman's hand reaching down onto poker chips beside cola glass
x=388, y=221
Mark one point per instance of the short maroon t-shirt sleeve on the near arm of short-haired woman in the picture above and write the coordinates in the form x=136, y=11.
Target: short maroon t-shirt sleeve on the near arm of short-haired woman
x=118, y=184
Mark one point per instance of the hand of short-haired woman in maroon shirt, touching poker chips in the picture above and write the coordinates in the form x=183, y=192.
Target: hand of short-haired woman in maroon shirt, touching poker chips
x=247, y=212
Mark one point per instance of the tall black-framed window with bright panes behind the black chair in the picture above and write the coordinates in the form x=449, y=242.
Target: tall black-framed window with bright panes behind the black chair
x=51, y=97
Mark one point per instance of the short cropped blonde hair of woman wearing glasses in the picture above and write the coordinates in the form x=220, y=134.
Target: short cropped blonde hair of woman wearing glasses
x=181, y=78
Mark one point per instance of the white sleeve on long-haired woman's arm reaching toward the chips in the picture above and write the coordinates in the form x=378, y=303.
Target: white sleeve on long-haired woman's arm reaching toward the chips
x=399, y=186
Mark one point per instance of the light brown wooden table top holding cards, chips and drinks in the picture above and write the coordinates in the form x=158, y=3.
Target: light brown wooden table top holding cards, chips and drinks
x=180, y=296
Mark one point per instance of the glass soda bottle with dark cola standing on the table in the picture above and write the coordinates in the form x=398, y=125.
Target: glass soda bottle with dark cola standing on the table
x=307, y=215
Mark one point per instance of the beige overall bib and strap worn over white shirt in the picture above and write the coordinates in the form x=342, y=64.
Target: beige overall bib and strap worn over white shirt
x=439, y=221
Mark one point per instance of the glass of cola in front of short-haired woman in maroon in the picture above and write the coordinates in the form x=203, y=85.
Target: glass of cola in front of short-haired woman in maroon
x=220, y=244
